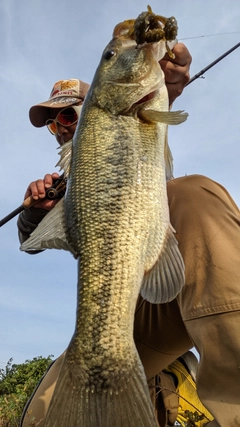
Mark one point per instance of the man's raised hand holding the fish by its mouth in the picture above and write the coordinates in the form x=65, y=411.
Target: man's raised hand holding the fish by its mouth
x=176, y=71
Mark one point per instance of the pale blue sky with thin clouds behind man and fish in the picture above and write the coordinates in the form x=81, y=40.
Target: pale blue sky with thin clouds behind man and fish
x=42, y=44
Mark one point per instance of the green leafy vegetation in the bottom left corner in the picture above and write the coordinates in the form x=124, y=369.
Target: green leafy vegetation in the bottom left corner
x=17, y=382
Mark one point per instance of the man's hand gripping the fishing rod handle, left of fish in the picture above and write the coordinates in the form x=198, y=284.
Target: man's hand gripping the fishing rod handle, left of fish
x=37, y=189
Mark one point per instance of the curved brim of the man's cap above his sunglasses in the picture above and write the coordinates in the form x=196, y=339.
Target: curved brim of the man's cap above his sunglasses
x=38, y=114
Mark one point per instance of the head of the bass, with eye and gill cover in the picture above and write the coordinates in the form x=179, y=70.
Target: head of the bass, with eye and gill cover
x=128, y=74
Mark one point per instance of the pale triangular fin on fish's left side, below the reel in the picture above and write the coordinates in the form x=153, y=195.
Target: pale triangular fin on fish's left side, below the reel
x=50, y=233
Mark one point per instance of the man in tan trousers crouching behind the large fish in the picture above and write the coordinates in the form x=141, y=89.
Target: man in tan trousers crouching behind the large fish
x=207, y=311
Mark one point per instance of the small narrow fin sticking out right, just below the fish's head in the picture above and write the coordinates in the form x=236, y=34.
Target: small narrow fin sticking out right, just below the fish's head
x=167, y=117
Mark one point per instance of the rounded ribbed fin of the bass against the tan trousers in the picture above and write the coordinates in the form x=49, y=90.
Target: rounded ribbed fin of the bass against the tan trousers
x=165, y=280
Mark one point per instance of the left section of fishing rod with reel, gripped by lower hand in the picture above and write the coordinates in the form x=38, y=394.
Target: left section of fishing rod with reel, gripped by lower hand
x=57, y=191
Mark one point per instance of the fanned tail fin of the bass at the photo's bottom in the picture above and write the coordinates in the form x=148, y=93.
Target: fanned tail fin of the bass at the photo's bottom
x=76, y=405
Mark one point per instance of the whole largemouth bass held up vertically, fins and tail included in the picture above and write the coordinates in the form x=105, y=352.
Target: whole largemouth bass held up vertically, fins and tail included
x=114, y=218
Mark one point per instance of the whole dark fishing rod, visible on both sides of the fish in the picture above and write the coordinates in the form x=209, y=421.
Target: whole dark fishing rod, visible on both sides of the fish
x=59, y=187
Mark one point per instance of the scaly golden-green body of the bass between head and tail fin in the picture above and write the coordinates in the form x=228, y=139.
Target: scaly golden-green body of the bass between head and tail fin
x=112, y=210
